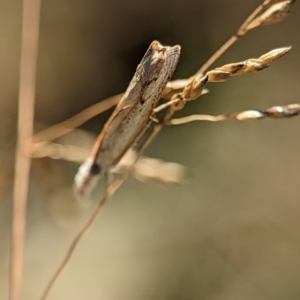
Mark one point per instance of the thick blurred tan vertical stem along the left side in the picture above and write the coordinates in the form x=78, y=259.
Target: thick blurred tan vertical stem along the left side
x=29, y=45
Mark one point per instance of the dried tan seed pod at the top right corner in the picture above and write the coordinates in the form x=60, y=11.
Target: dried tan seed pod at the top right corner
x=274, y=14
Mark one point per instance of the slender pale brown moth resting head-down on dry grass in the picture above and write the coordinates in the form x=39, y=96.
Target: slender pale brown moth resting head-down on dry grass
x=131, y=117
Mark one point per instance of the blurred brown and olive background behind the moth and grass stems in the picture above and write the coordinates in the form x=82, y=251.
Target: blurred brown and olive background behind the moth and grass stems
x=231, y=231
